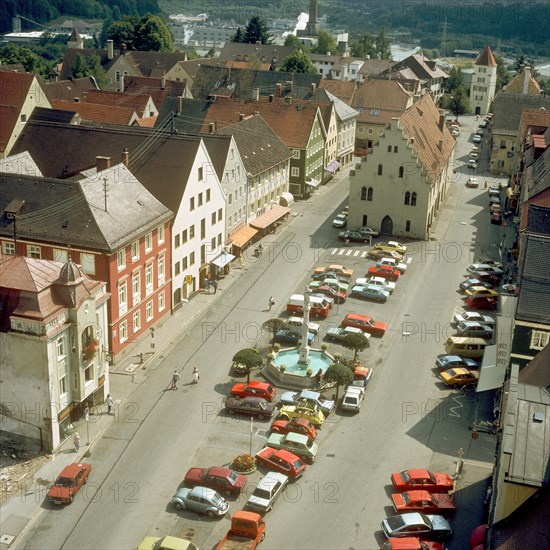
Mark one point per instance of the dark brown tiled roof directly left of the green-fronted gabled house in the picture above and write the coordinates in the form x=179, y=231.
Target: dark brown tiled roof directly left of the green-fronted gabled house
x=259, y=146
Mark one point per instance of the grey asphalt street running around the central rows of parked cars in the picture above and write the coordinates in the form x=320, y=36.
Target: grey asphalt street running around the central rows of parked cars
x=408, y=419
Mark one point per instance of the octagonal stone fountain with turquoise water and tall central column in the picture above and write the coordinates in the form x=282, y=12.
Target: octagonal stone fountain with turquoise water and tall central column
x=298, y=360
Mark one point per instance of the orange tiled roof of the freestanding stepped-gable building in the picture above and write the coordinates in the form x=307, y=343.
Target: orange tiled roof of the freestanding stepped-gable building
x=433, y=143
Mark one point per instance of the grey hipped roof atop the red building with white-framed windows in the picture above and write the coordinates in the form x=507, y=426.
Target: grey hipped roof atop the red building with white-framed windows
x=74, y=212
